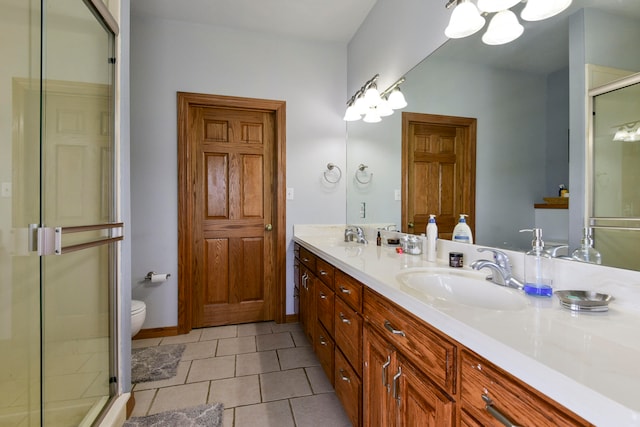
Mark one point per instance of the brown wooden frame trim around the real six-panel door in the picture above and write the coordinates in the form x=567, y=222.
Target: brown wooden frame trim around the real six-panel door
x=185, y=206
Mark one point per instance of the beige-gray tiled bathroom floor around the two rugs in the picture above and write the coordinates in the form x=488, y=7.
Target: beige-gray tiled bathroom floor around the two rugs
x=265, y=374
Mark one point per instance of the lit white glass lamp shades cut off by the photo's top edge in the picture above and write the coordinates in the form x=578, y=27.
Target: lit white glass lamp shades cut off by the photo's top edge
x=504, y=27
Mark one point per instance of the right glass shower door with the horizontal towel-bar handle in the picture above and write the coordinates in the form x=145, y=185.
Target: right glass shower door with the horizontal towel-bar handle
x=78, y=234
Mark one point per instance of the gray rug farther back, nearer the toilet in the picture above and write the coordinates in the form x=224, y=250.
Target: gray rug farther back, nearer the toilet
x=155, y=363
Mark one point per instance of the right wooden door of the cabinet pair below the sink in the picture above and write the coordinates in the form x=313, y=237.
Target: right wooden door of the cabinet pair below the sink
x=419, y=402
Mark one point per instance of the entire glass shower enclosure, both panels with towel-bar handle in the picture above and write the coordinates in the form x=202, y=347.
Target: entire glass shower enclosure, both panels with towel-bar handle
x=58, y=217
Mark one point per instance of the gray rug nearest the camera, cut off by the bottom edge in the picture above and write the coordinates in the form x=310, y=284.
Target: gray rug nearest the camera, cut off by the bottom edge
x=203, y=415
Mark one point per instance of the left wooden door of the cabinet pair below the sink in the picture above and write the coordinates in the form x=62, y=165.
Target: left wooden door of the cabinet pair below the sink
x=376, y=380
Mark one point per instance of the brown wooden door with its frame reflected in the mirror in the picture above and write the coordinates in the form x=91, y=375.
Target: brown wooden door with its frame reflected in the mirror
x=438, y=164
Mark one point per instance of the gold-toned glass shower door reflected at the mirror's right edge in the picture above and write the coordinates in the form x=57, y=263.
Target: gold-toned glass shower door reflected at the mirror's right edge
x=616, y=176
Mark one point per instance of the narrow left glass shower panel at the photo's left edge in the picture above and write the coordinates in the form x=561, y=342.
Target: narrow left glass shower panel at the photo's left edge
x=19, y=206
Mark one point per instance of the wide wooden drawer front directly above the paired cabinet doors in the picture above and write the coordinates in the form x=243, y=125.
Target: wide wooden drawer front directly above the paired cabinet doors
x=428, y=351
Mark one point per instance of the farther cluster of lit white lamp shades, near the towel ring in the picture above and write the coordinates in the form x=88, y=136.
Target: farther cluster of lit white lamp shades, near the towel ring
x=370, y=105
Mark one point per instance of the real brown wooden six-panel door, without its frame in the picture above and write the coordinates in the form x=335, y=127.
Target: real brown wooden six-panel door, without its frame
x=232, y=187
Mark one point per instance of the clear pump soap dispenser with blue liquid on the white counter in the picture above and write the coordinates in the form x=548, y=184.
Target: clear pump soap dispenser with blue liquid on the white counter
x=538, y=267
